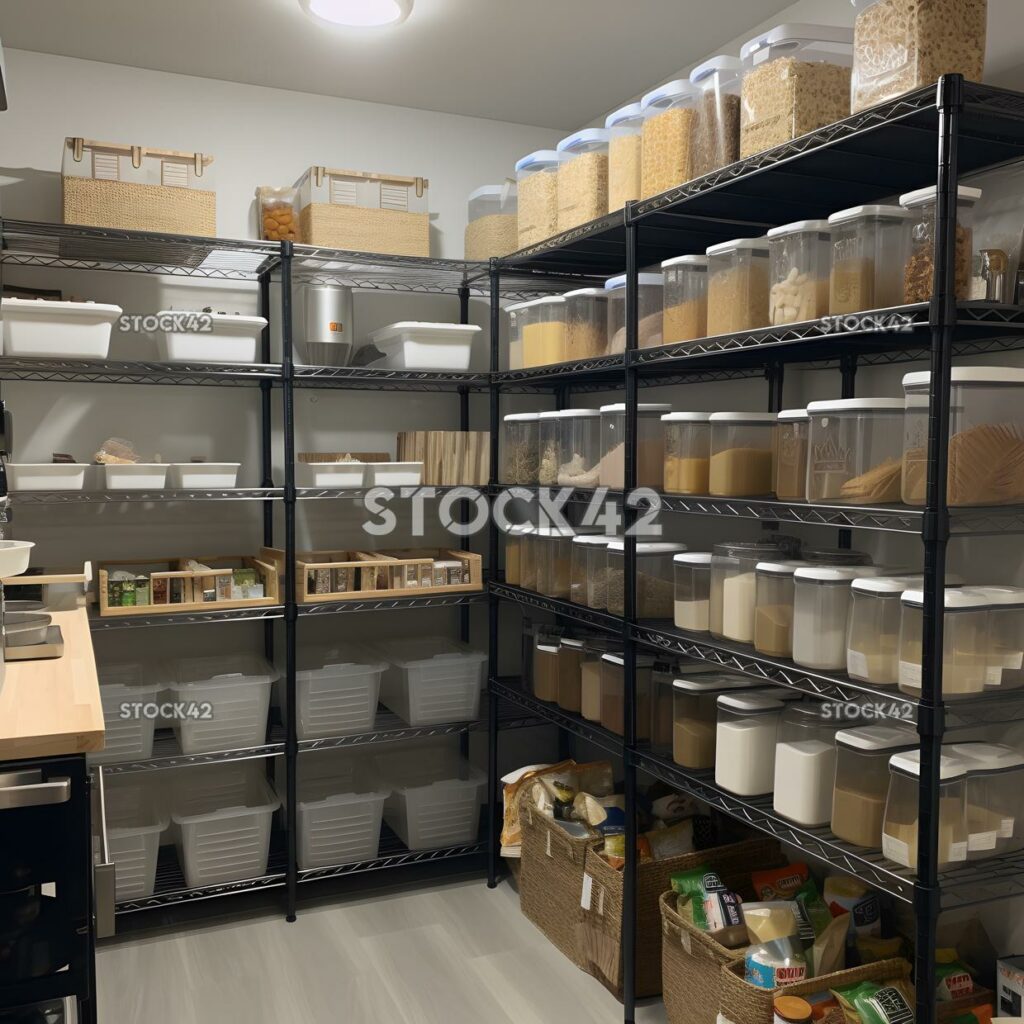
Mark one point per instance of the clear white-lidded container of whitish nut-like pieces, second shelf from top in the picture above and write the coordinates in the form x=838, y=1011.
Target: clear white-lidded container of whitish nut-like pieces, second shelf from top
x=801, y=258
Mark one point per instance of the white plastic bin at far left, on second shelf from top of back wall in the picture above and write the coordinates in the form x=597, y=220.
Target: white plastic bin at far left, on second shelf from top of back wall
x=41, y=329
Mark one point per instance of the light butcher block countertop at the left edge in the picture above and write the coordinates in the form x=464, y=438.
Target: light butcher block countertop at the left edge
x=52, y=707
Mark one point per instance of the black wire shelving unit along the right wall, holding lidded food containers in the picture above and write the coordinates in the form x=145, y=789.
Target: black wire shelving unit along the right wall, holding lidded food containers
x=933, y=136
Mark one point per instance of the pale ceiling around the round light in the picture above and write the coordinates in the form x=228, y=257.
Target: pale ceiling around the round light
x=556, y=64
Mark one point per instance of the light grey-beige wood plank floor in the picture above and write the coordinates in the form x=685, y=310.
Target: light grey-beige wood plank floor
x=453, y=954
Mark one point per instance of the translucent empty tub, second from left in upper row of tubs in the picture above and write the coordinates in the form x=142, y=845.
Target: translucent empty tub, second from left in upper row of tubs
x=238, y=690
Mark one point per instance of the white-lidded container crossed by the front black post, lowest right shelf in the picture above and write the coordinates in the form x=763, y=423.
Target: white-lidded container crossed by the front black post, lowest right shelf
x=900, y=830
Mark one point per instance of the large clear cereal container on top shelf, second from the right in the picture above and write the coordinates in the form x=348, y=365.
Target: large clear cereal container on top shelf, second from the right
x=796, y=80
